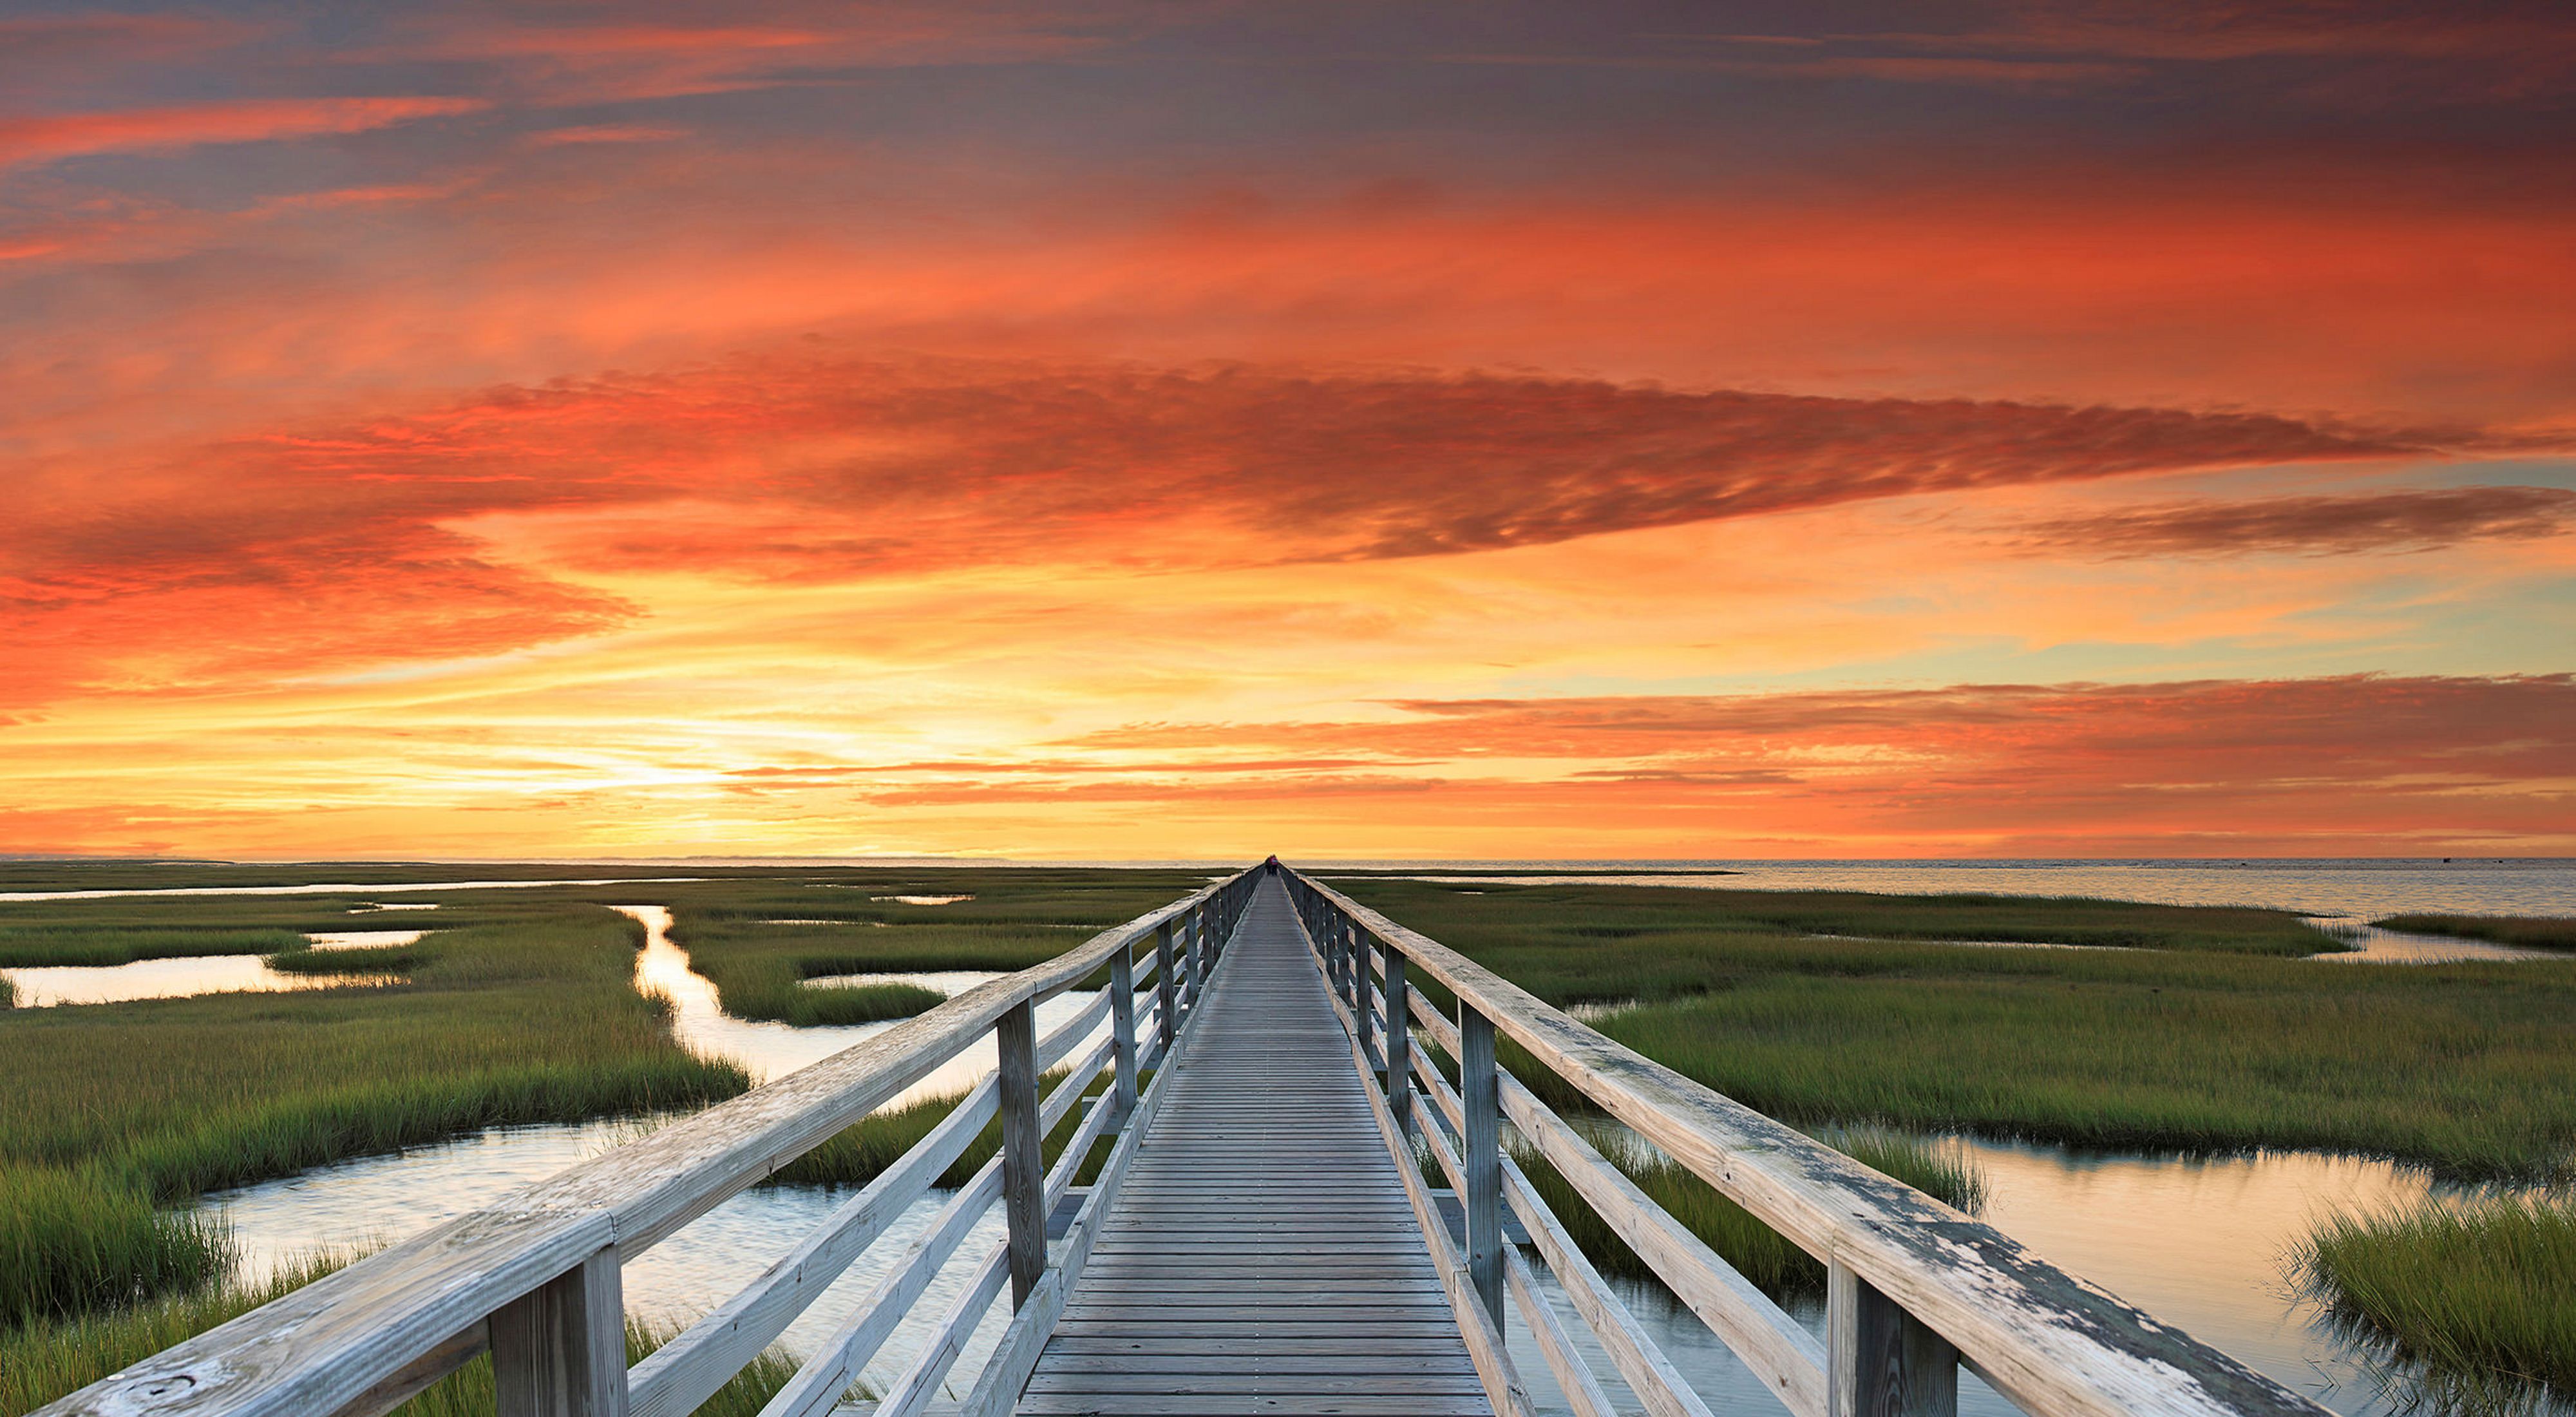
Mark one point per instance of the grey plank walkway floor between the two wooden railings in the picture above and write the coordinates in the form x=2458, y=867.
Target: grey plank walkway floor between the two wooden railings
x=1261, y=1256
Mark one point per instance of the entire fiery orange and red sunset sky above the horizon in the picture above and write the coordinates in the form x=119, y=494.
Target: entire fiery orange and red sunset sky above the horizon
x=1390, y=429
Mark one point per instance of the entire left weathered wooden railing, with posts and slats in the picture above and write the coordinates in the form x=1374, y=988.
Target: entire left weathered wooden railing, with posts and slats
x=537, y=1279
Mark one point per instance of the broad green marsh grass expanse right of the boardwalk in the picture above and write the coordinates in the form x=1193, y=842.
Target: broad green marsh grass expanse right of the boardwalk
x=2464, y=1068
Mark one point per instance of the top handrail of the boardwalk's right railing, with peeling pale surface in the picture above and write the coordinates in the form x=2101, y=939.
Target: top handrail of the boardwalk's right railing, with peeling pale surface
x=2052, y=1344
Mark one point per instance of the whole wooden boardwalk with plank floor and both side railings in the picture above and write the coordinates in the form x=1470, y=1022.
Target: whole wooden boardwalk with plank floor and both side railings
x=1248, y=1248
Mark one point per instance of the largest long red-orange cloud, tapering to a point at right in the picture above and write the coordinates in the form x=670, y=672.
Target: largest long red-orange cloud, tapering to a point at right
x=818, y=468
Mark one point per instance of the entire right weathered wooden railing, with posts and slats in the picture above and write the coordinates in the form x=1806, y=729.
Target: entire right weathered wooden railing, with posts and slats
x=1913, y=1287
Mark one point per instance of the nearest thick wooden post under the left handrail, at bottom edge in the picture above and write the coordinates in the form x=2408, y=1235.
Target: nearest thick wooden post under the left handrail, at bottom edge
x=560, y=1351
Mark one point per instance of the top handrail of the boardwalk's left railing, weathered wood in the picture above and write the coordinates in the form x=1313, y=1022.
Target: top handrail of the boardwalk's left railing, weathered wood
x=406, y=1315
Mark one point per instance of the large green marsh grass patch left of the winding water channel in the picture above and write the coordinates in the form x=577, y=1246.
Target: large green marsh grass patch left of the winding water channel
x=151, y=1104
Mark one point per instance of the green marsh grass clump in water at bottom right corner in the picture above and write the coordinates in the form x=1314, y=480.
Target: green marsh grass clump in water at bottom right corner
x=2477, y=1297
